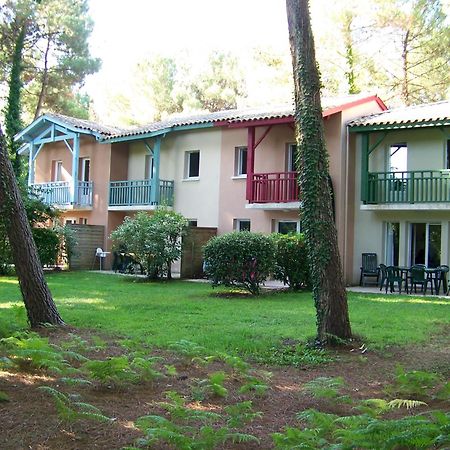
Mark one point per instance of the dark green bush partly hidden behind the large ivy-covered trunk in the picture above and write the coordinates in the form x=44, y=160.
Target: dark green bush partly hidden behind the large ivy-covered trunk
x=291, y=260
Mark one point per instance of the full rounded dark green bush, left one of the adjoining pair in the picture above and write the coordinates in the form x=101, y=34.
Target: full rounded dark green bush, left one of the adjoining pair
x=239, y=259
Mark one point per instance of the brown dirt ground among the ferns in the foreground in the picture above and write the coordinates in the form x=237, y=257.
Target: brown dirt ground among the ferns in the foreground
x=29, y=420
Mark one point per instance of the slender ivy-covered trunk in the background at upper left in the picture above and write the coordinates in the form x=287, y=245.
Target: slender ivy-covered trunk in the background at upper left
x=13, y=123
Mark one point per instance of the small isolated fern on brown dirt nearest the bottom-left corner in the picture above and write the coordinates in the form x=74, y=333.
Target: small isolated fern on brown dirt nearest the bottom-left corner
x=70, y=411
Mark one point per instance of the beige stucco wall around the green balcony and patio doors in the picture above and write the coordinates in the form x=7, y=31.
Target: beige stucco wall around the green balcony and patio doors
x=426, y=150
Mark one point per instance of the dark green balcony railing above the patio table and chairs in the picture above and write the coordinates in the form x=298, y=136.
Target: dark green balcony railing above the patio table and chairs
x=417, y=186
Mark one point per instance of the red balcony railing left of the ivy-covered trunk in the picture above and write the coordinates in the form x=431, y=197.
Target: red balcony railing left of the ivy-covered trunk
x=275, y=187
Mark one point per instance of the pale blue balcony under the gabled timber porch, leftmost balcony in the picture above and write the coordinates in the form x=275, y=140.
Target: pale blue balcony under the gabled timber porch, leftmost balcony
x=58, y=194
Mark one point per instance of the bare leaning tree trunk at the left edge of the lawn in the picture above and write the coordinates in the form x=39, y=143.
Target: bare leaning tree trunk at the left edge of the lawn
x=38, y=300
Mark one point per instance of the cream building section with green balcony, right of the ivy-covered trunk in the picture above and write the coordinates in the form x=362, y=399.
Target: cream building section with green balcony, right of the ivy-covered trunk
x=402, y=185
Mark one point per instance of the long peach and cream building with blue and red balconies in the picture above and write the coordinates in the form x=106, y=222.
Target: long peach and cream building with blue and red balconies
x=232, y=170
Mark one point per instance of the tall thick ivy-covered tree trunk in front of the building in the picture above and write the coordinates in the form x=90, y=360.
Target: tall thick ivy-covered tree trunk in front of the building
x=329, y=293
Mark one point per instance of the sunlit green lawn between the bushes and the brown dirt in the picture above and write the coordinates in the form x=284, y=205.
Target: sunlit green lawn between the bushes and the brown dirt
x=166, y=312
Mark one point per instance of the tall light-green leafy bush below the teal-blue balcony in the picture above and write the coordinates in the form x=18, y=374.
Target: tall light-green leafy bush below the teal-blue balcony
x=155, y=240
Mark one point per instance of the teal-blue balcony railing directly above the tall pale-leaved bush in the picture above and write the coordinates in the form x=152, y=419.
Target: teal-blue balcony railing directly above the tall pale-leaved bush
x=137, y=194
